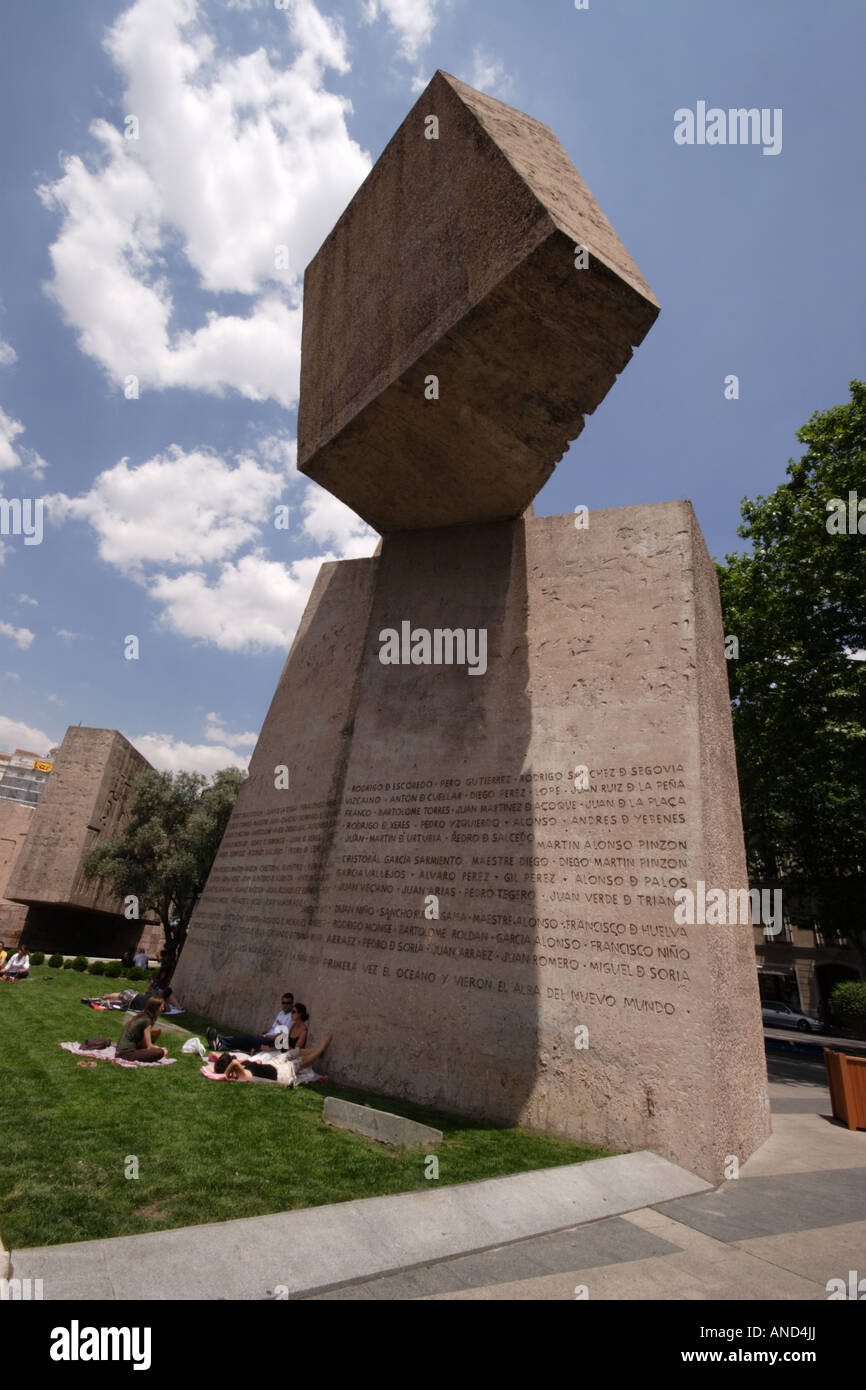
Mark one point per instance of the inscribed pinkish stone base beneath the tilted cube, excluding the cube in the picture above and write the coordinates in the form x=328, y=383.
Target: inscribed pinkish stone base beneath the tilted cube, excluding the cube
x=555, y=988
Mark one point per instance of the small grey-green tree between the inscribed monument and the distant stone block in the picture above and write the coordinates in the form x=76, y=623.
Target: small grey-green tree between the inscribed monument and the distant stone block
x=165, y=853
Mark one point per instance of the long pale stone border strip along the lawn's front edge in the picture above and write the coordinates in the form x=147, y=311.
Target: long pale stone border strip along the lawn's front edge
x=329, y=1246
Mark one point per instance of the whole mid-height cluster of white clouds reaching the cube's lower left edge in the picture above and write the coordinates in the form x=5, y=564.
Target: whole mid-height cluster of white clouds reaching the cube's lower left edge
x=193, y=514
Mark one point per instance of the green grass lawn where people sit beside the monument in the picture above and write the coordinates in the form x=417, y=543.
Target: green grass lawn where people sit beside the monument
x=206, y=1152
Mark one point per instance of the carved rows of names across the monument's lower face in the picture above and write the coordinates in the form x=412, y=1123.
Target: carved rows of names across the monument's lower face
x=508, y=885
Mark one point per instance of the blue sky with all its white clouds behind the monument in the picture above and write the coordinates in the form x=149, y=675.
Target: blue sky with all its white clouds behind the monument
x=155, y=258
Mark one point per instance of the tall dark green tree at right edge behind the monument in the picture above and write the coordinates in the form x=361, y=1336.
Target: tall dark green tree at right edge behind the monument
x=797, y=605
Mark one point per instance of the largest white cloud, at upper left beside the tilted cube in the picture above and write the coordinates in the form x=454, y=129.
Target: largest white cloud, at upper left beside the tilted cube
x=236, y=158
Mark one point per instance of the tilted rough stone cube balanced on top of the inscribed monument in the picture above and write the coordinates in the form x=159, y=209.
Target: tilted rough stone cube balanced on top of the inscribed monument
x=457, y=259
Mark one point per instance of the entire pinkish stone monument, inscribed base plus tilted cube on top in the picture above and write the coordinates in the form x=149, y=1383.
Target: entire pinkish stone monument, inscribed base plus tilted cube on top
x=500, y=747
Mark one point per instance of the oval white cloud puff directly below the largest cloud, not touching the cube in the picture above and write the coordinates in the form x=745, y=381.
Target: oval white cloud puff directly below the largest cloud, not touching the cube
x=174, y=509
